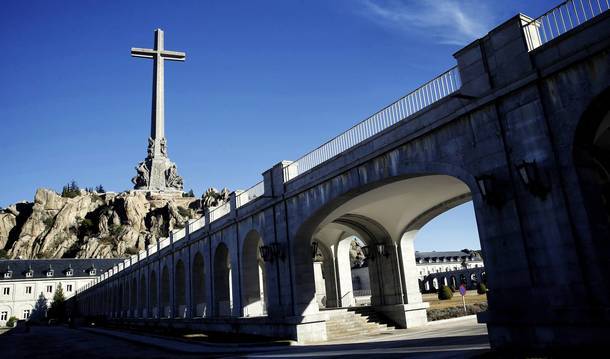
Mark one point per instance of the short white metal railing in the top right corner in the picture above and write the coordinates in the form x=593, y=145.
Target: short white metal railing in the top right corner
x=561, y=19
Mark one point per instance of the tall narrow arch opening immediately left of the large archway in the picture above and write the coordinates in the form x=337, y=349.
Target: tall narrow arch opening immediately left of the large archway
x=254, y=289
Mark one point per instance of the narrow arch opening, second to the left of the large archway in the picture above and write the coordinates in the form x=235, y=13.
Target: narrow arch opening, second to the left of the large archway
x=223, y=296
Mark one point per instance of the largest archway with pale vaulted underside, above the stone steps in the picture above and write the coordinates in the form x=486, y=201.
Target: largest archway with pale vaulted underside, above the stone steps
x=427, y=193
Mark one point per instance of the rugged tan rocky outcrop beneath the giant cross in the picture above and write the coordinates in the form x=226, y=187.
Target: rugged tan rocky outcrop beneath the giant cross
x=92, y=225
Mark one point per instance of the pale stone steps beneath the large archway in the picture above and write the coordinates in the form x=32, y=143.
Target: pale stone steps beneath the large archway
x=348, y=323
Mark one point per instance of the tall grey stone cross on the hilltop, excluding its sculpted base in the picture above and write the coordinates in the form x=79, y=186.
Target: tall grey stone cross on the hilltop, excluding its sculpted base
x=159, y=55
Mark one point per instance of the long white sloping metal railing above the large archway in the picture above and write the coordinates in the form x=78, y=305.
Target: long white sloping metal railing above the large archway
x=413, y=102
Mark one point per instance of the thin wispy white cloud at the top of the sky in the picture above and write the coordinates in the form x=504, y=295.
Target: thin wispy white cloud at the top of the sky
x=453, y=22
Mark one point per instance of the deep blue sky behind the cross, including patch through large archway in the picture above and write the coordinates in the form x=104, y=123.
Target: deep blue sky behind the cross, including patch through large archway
x=263, y=81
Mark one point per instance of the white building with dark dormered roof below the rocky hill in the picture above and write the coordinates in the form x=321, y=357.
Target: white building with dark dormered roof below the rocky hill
x=22, y=281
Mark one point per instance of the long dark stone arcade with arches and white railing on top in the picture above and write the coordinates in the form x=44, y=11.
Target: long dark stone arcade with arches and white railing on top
x=520, y=127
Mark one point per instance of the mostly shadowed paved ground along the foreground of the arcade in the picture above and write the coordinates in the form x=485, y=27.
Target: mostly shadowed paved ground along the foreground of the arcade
x=452, y=339
